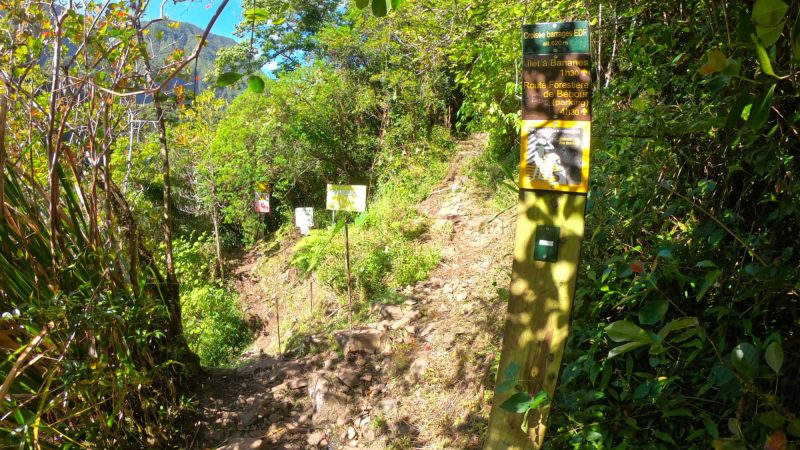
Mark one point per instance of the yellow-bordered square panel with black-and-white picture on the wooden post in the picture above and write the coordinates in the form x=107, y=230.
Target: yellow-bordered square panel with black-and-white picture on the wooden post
x=554, y=155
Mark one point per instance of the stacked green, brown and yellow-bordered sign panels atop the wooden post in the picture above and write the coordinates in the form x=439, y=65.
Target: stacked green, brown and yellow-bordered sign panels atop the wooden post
x=556, y=107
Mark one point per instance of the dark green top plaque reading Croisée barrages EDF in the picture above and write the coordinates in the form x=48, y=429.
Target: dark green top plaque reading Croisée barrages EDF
x=555, y=38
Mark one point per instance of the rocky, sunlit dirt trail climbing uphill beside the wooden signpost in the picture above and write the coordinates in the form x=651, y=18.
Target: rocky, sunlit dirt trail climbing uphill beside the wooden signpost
x=415, y=378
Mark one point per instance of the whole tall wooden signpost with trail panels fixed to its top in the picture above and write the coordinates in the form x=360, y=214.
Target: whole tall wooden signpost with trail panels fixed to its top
x=554, y=178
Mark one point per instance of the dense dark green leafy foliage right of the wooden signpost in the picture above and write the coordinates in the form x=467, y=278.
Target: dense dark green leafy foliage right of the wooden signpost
x=688, y=297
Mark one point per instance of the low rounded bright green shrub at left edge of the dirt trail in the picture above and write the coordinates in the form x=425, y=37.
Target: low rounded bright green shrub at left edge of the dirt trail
x=214, y=325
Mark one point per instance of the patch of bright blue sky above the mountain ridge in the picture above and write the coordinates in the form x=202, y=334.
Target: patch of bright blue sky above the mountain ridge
x=199, y=12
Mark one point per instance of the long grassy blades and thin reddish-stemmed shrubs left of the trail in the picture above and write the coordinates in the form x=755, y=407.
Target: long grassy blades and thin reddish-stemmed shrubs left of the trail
x=93, y=352
